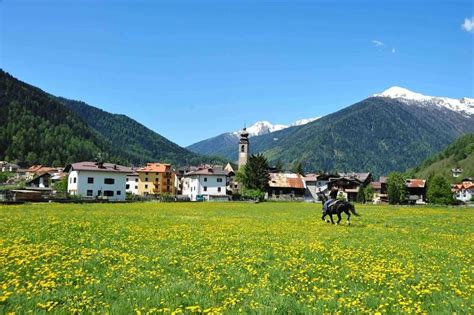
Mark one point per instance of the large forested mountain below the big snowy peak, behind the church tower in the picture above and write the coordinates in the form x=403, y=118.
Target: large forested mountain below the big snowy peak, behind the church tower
x=378, y=134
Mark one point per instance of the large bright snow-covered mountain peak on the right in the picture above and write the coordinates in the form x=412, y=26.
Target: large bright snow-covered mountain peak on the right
x=464, y=105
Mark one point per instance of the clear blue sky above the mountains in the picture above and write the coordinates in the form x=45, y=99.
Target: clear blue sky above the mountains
x=193, y=69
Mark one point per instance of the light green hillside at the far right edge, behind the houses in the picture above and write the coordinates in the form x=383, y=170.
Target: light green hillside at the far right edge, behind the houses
x=459, y=154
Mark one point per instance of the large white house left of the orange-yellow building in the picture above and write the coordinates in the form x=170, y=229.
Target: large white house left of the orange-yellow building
x=97, y=180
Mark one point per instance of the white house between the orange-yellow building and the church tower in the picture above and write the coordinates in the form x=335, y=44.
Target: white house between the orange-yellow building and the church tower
x=210, y=183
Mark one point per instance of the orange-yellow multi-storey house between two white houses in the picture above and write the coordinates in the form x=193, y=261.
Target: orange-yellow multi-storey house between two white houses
x=156, y=179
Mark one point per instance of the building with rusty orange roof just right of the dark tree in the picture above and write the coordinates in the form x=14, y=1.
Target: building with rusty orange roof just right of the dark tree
x=285, y=186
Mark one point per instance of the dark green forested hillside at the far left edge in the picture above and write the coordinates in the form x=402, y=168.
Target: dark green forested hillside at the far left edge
x=35, y=128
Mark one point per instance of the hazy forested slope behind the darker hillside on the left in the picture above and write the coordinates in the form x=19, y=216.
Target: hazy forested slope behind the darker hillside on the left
x=134, y=139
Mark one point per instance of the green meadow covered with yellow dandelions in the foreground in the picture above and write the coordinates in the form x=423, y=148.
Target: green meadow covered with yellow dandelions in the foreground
x=265, y=258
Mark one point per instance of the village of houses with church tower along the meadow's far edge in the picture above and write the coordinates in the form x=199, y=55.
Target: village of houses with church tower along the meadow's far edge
x=101, y=181
